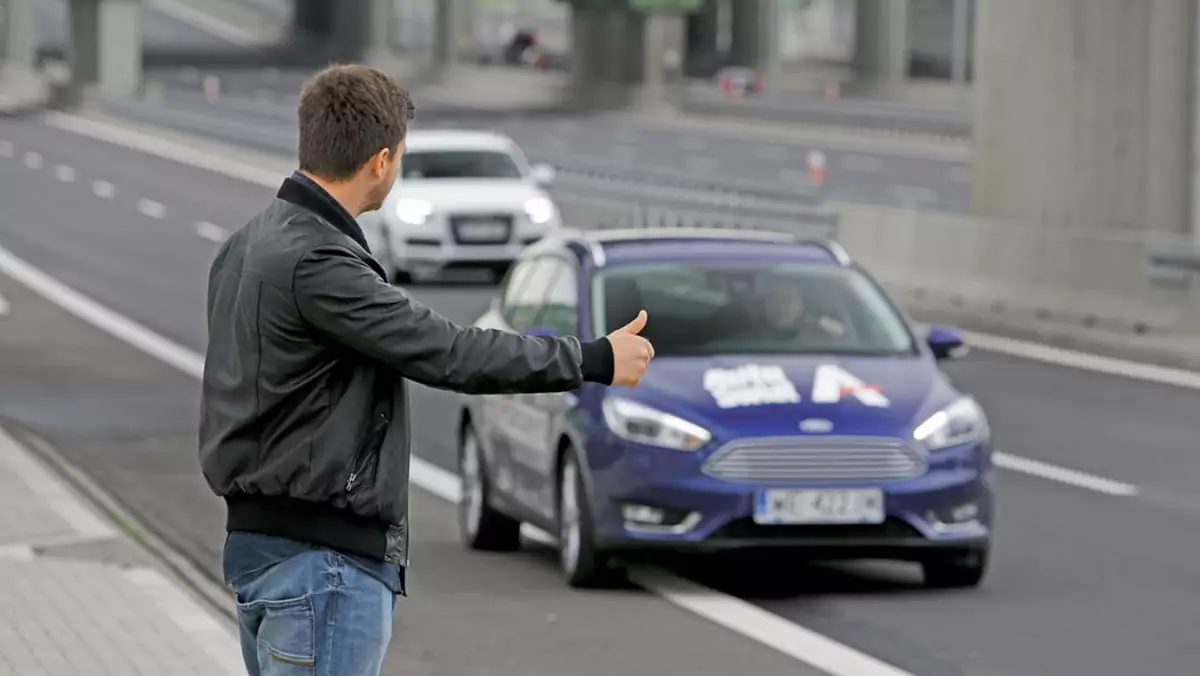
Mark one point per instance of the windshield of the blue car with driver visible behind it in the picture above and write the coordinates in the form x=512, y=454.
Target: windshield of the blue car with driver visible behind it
x=701, y=309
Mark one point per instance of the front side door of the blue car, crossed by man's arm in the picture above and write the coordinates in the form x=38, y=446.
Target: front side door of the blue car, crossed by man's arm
x=548, y=412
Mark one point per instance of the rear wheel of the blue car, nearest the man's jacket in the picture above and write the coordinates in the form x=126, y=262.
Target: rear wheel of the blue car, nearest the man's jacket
x=482, y=527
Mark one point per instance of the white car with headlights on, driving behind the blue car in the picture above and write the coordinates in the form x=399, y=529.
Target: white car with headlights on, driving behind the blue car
x=463, y=200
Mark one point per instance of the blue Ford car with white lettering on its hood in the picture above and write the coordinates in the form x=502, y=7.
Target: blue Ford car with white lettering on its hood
x=791, y=404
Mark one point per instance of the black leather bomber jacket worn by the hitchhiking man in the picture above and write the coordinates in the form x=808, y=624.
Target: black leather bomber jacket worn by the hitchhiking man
x=304, y=426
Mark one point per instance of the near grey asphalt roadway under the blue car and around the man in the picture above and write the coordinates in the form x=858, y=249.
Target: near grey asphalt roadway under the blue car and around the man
x=1083, y=582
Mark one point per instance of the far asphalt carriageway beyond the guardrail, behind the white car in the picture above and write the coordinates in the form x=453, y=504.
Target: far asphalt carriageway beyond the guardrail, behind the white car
x=855, y=172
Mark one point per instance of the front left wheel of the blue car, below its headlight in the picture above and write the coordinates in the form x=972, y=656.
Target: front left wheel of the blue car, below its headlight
x=583, y=565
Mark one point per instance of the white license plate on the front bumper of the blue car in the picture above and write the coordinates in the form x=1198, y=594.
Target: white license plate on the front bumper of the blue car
x=819, y=506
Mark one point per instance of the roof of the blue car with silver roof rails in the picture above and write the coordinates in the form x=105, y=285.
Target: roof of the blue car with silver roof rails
x=617, y=247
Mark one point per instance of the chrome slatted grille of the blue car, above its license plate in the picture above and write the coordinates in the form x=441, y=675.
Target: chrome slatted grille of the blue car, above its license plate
x=824, y=459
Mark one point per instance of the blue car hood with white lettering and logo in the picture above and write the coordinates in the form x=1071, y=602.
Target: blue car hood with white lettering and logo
x=751, y=397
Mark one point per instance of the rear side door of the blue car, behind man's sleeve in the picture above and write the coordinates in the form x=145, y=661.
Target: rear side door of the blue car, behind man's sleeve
x=515, y=423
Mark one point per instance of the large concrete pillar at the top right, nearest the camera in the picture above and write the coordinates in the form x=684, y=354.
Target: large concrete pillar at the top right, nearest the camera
x=1084, y=112
